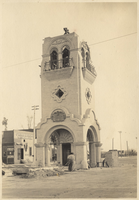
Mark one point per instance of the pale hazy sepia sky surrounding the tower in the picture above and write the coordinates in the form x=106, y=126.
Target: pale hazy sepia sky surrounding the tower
x=110, y=30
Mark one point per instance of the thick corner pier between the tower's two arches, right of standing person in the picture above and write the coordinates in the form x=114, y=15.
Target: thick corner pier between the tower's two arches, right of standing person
x=81, y=155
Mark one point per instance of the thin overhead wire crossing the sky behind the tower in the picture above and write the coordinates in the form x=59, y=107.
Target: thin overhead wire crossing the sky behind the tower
x=73, y=49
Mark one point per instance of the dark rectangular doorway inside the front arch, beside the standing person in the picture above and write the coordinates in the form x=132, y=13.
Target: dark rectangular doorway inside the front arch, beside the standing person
x=66, y=150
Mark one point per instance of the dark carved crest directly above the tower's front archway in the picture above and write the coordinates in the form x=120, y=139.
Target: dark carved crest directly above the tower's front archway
x=58, y=116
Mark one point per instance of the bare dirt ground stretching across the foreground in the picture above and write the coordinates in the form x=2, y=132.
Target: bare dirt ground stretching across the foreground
x=118, y=182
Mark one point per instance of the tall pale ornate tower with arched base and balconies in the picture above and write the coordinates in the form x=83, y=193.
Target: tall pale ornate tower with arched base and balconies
x=68, y=111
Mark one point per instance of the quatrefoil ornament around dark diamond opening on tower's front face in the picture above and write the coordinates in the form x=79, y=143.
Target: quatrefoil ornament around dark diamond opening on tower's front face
x=59, y=94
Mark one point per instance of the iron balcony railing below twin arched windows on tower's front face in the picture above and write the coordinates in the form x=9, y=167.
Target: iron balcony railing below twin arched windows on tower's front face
x=58, y=64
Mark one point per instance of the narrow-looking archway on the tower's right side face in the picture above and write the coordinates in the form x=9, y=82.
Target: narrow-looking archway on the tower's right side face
x=91, y=146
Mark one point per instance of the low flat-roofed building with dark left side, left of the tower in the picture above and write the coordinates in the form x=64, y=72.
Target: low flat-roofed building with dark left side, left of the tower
x=17, y=145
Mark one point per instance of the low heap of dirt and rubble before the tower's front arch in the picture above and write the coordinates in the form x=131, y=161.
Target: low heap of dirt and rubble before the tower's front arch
x=40, y=173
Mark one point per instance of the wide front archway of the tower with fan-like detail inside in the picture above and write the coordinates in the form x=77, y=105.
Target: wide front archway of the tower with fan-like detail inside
x=59, y=145
